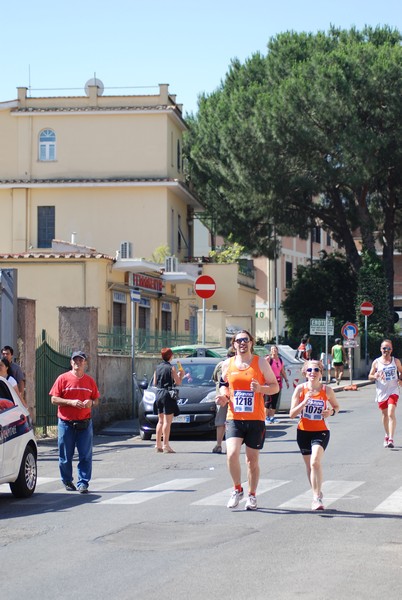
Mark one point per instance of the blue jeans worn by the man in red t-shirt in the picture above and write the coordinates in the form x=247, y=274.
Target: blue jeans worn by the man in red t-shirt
x=69, y=439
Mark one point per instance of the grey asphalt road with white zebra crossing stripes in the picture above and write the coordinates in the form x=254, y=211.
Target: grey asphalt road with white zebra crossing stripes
x=157, y=526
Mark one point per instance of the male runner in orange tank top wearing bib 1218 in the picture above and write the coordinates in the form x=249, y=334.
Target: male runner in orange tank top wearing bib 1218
x=244, y=381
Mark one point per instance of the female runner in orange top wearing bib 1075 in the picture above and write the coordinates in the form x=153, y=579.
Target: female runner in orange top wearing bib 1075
x=313, y=402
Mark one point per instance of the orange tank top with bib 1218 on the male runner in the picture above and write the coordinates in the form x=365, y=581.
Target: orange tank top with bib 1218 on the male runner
x=244, y=404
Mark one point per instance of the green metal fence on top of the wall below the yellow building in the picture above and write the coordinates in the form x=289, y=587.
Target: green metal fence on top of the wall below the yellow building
x=118, y=340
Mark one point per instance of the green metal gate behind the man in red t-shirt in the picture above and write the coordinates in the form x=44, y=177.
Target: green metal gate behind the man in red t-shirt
x=51, y=360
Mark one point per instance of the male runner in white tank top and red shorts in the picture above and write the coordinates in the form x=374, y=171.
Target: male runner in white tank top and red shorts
x=386, y=371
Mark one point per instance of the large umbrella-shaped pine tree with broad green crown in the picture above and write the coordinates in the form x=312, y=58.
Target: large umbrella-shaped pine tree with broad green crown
x=309, y=134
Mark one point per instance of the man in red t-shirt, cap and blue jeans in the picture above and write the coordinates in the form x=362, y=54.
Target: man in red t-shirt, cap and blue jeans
x=75, y=393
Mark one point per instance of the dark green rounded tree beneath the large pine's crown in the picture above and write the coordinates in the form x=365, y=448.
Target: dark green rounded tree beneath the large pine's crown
x=329, y=284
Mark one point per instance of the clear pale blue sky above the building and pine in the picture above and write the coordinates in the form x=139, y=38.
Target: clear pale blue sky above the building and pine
x=134, y=45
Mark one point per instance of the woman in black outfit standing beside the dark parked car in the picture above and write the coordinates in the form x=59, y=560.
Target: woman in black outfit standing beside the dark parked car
x=165, y=377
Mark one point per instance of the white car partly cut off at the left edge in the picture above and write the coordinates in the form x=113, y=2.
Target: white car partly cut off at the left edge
x=18, y=449
